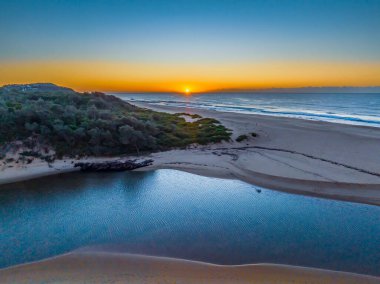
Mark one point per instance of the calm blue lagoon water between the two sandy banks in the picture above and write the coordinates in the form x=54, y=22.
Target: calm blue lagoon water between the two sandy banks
x=172, y=213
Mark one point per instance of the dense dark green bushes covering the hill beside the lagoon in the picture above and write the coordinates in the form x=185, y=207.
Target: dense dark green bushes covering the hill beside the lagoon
x=79, y=124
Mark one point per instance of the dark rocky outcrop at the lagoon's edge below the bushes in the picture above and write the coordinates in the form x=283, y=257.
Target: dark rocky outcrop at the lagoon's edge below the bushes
x=112, y=166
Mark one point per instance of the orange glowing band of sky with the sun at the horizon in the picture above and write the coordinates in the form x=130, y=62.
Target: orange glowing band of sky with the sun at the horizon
x=111, y=76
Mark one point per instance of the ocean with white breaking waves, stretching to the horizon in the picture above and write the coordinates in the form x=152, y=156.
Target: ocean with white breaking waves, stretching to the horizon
x=359, y=109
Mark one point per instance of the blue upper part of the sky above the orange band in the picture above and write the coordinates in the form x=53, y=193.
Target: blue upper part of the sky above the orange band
x=192, y=30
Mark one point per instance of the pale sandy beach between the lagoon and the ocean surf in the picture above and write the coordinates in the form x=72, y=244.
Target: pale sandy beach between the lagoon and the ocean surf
x=300, y=156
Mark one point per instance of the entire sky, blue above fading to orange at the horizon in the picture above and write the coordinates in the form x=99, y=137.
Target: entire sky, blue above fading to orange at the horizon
x=202, y=45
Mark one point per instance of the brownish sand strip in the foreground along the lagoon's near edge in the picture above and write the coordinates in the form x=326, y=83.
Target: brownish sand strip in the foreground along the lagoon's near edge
x=99, y=266
